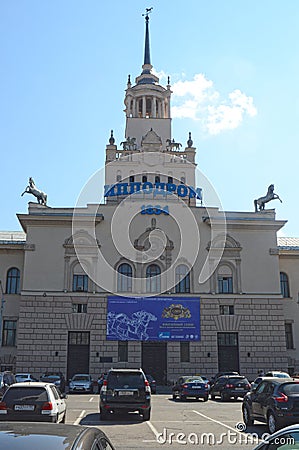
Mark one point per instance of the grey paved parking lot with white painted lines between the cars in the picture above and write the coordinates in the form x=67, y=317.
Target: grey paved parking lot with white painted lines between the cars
x=173, y=424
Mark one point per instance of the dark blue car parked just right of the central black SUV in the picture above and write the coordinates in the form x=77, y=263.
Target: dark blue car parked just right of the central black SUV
x=193, y=386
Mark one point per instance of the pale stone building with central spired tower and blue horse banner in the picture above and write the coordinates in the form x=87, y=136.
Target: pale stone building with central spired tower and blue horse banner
x=151, y=240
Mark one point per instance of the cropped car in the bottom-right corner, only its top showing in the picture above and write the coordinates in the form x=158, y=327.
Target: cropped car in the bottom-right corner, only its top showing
x=285, y=439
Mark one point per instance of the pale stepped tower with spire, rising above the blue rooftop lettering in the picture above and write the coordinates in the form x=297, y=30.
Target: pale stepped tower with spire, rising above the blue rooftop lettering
x=149, y=154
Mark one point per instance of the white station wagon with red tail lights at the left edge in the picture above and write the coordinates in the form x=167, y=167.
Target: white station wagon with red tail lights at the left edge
x=33, y=401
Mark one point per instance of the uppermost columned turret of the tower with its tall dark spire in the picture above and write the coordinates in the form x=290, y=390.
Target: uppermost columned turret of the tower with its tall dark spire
x=147, y=102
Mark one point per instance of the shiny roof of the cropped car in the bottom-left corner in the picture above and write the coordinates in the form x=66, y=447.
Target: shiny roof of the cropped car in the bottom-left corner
x=32, y=434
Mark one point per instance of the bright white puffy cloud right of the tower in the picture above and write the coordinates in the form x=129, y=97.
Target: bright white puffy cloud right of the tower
x=199, y=100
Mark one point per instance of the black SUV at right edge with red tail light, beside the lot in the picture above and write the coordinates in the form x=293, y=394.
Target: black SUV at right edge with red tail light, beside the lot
x=274, y=401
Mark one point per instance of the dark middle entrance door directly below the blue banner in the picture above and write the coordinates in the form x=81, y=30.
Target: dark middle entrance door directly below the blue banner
x=154, y=360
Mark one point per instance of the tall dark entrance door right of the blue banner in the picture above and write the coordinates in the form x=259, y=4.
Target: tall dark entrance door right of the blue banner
x=228, y=352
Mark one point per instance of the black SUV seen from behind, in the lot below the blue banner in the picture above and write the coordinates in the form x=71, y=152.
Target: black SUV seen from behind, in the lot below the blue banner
x=125, y=390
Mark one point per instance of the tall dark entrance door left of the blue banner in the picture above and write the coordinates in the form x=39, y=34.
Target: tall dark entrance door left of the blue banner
x=78, y=353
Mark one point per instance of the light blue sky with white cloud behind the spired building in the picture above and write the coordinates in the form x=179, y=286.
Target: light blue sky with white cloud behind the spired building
x=234, y=71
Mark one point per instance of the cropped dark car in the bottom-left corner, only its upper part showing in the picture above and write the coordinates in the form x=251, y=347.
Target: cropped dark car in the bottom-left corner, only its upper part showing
x=31, y=436
